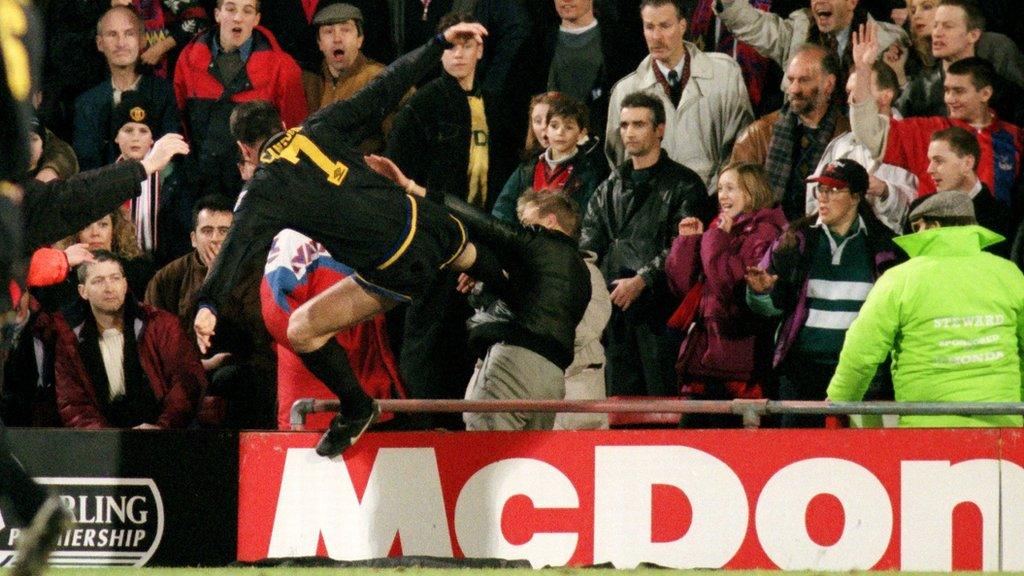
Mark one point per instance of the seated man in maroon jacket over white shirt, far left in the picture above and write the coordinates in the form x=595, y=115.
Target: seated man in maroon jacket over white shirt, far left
x=119, y=363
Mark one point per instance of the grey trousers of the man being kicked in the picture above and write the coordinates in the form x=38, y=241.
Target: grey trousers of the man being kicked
x=509, y=373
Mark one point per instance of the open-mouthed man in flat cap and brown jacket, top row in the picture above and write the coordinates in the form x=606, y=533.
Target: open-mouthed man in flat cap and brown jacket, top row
x=346, y=70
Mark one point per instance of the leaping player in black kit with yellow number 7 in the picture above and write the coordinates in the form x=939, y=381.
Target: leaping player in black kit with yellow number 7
x=313, y=180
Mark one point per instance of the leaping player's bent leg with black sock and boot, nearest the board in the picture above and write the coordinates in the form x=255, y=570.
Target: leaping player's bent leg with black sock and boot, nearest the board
x=312, y=332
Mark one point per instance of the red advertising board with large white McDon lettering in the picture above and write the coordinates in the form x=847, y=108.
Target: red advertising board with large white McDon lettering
x=899, y=500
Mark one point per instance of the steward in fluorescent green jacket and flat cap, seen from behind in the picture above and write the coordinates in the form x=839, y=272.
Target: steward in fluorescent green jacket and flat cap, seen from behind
x=953, y=318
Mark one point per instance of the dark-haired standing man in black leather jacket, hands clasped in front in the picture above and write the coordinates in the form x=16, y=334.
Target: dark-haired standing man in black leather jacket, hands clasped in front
x=630, y=224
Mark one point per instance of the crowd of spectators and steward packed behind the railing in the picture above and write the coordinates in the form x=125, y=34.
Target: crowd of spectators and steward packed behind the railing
x=717, y=188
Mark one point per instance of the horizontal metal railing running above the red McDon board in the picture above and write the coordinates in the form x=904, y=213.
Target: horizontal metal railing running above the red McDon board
x=752, y=412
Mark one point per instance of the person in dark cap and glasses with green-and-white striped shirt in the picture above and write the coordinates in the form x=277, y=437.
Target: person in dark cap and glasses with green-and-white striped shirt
x=817, y=277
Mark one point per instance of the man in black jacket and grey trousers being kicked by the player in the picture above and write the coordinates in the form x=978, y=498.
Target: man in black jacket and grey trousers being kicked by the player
x=529, y=335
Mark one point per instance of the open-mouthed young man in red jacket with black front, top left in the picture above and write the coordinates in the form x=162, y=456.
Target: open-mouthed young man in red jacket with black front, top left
x=238, y=62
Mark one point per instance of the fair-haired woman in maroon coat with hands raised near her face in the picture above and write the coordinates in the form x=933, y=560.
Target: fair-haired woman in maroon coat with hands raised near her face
x=728, y=350
